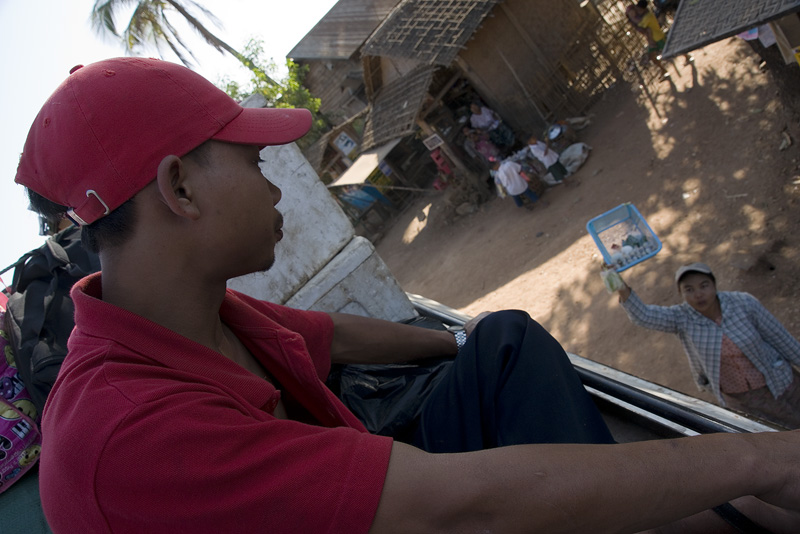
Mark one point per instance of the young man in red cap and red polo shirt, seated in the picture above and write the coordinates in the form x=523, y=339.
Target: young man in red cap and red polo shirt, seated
x=187, y=407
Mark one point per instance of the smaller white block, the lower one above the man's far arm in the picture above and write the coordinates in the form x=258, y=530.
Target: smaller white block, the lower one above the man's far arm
x=357, y=281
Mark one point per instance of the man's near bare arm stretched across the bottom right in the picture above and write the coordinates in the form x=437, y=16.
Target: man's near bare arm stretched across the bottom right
x=584, y=488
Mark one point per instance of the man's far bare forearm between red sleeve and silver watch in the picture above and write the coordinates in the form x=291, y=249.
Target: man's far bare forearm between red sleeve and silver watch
x=359, y=339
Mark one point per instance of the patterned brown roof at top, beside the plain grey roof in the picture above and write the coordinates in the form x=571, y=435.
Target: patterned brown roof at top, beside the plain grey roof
x=429, y=31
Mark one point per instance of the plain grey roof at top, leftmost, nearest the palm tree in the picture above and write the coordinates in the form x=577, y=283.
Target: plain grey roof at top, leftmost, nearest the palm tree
x=342, y=30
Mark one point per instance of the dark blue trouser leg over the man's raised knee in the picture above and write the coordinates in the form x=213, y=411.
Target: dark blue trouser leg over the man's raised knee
x=511, y=384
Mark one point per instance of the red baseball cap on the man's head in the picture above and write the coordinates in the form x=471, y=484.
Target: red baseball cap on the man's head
x=99, y=138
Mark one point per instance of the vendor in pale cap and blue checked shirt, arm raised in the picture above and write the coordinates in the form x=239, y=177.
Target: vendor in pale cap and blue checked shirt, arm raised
x=736, y=348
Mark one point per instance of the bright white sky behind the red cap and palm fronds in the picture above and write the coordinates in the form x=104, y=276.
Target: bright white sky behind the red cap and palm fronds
x=40, y=41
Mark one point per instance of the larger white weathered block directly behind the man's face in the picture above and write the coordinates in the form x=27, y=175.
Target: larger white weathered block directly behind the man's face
x=315, y=229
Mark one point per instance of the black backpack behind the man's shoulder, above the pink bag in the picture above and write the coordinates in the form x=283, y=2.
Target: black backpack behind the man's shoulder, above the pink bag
x=40, y=313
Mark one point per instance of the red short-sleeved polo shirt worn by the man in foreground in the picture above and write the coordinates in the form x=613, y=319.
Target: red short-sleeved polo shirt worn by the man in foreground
x=148, y=431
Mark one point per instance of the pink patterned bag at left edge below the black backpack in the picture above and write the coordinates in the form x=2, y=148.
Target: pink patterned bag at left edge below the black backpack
x=20, y=439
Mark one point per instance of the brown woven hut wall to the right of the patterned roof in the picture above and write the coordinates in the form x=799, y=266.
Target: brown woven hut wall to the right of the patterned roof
x=538, y=60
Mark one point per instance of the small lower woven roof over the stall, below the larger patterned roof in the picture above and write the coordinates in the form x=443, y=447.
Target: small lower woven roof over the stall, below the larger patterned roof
x=395, y=108
